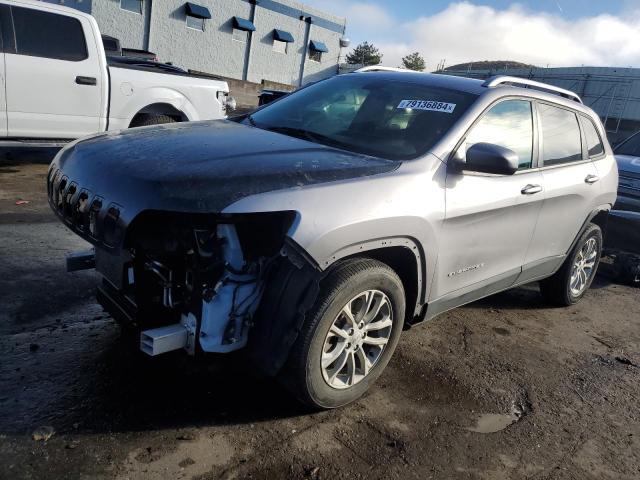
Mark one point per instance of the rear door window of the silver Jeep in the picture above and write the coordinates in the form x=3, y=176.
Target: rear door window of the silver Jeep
x=561, y=141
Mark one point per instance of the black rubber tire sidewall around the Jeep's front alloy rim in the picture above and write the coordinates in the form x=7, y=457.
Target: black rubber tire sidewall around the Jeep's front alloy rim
x=320, y=393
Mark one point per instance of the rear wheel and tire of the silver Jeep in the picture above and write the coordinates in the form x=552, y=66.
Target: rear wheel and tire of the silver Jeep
x=557, y=289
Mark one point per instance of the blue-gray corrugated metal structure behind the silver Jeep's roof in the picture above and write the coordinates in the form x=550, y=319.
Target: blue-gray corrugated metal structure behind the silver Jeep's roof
x=613, y=93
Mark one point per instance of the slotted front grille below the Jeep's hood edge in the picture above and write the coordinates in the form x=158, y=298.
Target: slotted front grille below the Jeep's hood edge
x=84, y=211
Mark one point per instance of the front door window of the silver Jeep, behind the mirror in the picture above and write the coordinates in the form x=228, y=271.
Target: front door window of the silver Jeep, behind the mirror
x=510, y=125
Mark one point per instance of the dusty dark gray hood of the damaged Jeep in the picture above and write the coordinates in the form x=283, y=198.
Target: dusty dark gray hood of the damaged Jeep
x=197, y=167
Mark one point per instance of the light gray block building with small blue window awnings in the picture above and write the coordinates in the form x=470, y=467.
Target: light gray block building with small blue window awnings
x=276, y=40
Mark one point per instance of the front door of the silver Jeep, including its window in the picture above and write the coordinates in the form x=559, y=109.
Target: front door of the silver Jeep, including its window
x=490, y=219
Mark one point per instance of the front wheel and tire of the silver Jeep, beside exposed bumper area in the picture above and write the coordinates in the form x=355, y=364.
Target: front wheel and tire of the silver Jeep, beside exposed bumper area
x=352, y=284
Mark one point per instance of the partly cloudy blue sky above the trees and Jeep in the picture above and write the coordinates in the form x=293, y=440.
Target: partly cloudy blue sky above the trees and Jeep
x=543, y=32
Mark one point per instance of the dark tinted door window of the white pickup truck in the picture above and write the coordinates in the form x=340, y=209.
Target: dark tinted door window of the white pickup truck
x=48, y=35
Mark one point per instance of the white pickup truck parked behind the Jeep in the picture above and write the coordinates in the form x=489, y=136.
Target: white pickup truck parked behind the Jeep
x=57, y=84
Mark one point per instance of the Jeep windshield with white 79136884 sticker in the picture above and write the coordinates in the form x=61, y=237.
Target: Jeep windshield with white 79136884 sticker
x=389, y=119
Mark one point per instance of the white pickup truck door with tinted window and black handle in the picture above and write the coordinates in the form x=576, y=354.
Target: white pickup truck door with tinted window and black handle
x=54, y=77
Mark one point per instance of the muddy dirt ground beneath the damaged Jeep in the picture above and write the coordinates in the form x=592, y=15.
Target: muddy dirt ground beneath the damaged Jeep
x=505, y=388
